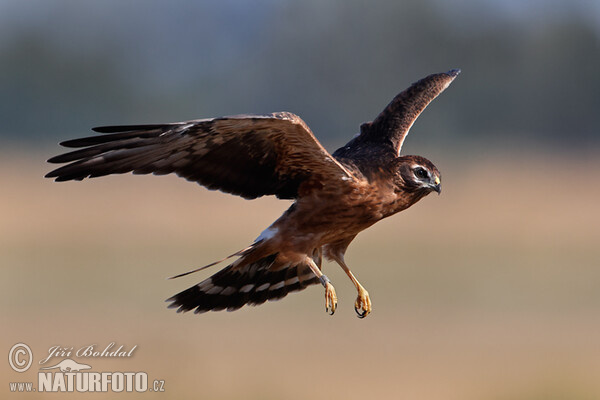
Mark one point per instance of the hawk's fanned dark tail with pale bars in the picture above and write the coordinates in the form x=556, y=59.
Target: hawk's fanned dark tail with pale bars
x=247, y=282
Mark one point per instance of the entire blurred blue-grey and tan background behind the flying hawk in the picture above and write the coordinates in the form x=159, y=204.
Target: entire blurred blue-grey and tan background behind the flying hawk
x=490, y=291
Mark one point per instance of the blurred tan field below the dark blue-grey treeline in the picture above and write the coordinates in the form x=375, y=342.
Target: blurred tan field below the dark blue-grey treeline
x=489, y=291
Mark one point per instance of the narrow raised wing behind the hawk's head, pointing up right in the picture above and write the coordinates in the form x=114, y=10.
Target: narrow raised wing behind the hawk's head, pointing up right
x=388, y=131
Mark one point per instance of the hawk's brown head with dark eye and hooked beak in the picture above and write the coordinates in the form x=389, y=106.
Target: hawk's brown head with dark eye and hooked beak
x=416, y=174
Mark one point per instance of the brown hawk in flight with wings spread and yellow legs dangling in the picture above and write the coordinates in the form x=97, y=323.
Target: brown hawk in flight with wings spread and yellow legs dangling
x=335, y=196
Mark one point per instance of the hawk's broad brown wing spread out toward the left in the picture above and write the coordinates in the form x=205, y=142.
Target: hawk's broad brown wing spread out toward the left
x=247, y=155
